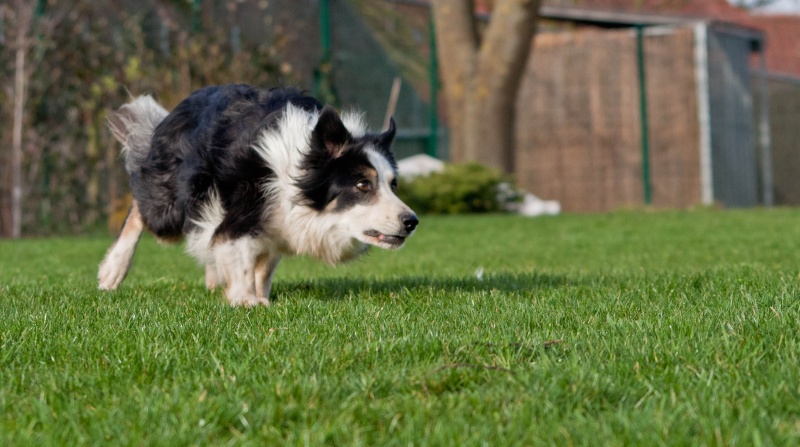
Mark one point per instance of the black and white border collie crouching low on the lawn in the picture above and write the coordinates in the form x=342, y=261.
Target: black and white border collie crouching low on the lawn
x=246, y=176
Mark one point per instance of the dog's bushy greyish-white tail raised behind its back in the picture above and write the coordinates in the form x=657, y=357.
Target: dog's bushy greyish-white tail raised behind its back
x=133, y=125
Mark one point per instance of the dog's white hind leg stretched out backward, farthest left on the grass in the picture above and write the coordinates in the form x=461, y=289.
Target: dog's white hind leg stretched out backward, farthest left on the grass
x=118, y=259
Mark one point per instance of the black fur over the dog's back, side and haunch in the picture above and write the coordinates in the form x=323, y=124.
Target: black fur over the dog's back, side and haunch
x=207, y=142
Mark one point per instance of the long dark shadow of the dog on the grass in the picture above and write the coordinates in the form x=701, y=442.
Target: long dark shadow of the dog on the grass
x=343, y=288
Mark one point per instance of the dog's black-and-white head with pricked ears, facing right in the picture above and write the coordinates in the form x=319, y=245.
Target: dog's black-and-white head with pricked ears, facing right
x=354, y=176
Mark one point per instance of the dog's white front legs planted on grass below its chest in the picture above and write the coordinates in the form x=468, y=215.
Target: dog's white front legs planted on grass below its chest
x=236, y=261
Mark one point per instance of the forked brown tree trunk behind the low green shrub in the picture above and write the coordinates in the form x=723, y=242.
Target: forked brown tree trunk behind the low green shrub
x=481, y=82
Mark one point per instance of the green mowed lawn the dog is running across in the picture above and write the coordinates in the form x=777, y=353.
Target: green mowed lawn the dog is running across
x=630, y=328
